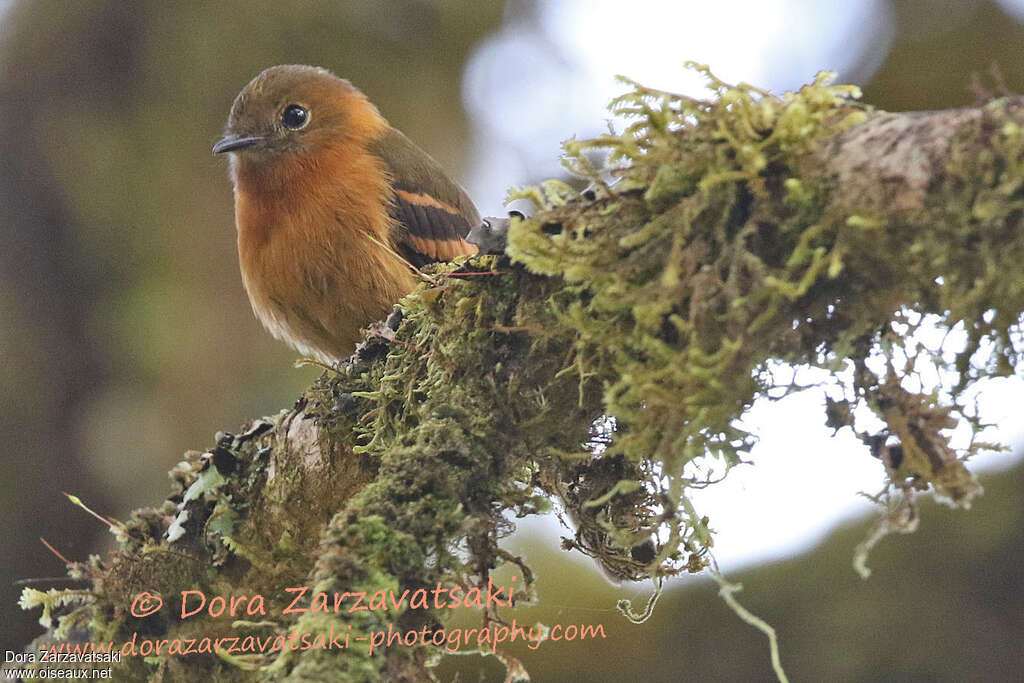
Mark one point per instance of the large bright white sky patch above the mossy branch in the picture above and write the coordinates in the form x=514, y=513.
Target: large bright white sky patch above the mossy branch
x=535, y=84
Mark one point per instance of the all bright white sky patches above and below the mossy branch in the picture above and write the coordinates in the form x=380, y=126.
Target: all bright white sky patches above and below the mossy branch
x=532, y=87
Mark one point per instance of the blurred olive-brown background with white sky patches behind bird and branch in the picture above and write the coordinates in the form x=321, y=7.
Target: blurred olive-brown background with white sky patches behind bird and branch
x=126, y=337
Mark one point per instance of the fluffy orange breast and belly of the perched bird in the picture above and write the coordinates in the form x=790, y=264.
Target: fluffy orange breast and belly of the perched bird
x=311, y=267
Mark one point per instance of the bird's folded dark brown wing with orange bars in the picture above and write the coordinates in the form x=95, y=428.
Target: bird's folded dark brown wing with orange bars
x=433, y=214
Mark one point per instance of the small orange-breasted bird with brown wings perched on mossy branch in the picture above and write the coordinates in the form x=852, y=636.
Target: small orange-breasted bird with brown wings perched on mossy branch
x=332, y=205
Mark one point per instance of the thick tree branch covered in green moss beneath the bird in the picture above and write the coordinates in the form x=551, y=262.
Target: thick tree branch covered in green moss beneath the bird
x=604, y=364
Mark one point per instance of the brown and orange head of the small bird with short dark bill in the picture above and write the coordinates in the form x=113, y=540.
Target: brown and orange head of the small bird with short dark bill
x=295, y=111
